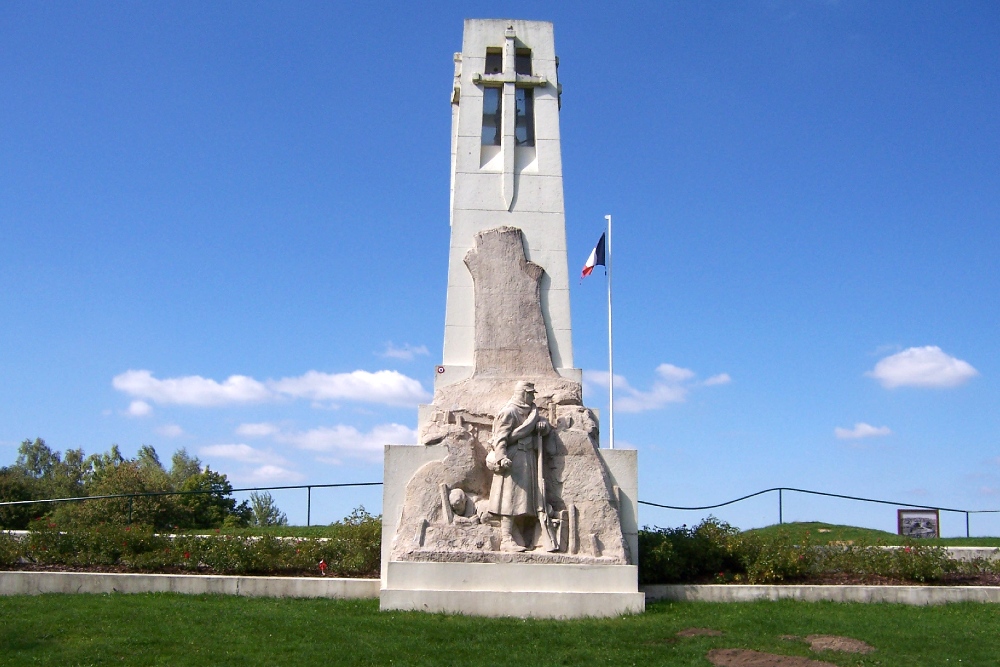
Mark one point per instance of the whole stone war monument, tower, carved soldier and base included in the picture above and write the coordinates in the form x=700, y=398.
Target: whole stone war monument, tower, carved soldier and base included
x=508, y=507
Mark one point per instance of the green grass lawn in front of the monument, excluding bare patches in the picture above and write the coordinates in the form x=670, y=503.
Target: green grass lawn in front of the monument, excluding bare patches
x=166, y=629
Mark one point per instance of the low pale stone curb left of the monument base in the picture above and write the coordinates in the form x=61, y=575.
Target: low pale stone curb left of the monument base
x=35, y=583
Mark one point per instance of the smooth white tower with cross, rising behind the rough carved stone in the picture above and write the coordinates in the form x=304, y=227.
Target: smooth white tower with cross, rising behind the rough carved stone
x=506, y=170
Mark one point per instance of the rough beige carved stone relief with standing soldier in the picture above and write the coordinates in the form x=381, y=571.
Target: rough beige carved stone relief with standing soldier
x=521, y=480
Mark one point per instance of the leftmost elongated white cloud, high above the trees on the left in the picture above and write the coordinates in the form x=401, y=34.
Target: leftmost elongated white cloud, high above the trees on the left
x=191, y=389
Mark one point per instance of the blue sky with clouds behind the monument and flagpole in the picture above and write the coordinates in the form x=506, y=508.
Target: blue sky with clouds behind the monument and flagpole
x=224, y=227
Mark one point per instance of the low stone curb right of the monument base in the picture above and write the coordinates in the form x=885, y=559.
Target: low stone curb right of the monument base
x=913, y=595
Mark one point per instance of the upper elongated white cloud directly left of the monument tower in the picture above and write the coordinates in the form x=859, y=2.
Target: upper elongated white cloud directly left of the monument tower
x=389, y=387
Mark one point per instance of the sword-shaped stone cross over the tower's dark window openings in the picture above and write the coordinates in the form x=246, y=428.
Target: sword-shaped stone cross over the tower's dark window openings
x=516, y=74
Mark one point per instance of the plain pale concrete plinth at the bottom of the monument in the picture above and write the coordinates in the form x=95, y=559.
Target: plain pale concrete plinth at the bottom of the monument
x=512, y=589
